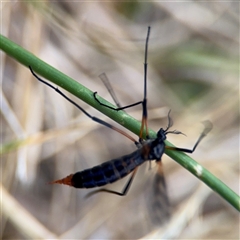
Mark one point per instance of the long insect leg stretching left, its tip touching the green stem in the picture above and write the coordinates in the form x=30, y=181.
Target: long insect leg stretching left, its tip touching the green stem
x=81, y=109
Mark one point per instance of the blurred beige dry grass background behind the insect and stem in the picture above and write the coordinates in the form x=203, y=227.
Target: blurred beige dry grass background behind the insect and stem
x=193, y=69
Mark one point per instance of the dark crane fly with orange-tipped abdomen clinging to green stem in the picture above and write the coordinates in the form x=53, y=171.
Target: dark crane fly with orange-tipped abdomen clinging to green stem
x=148, y=150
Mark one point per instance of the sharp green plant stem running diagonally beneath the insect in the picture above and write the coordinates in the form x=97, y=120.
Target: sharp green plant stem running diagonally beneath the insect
x=60, y=79
